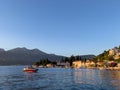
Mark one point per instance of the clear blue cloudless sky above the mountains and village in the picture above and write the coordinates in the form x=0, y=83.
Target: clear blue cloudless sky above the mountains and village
x=62, y=27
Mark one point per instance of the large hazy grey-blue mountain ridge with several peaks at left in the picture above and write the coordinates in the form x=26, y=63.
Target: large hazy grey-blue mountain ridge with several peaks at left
x=23, y=56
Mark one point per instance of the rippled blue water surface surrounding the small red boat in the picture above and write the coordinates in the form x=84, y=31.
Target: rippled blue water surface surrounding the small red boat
x=12, y=78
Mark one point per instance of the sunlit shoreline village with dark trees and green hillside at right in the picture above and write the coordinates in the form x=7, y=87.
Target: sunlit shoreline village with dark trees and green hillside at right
x=109, y=60
